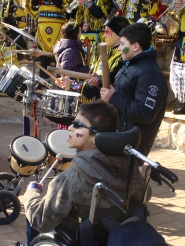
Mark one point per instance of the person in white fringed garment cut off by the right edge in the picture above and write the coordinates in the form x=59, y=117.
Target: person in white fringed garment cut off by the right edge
x=177, y=68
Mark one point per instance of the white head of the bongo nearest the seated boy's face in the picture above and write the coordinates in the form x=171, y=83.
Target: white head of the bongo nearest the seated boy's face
x=57, y=143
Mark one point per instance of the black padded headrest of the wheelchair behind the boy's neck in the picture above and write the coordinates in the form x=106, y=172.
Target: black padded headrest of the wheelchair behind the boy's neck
x=113, y=143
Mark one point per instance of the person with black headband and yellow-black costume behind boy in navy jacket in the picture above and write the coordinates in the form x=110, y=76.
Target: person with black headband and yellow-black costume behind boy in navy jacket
x=91, y=88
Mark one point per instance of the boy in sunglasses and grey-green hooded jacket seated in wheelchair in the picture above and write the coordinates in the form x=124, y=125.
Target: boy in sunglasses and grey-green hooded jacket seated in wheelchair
x=73, y=188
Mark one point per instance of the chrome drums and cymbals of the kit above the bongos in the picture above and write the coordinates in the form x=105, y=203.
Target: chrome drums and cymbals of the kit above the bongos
x=26, y=86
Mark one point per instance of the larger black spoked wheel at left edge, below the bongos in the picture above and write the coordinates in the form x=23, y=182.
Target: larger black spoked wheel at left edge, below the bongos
x=10, y=207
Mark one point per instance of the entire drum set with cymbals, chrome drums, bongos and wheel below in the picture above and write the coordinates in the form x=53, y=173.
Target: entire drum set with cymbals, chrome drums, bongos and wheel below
x=29, y=155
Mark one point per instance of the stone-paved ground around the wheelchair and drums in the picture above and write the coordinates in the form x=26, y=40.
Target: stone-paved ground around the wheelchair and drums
x=167, y=209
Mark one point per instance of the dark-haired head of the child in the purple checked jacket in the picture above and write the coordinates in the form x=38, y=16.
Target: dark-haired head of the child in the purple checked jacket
x=70, y=30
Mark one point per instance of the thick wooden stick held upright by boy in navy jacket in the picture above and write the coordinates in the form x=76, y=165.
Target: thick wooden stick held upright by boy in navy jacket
x=105, y=68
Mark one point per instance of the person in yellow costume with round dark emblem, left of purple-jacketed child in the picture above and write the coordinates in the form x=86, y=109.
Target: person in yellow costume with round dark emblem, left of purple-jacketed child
x=50, y=20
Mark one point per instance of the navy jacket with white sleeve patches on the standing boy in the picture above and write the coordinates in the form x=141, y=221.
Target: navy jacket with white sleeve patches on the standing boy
x=141, y=97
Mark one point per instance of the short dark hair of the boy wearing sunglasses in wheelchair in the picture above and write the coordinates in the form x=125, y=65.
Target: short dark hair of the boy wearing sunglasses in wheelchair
x=101, y=115
